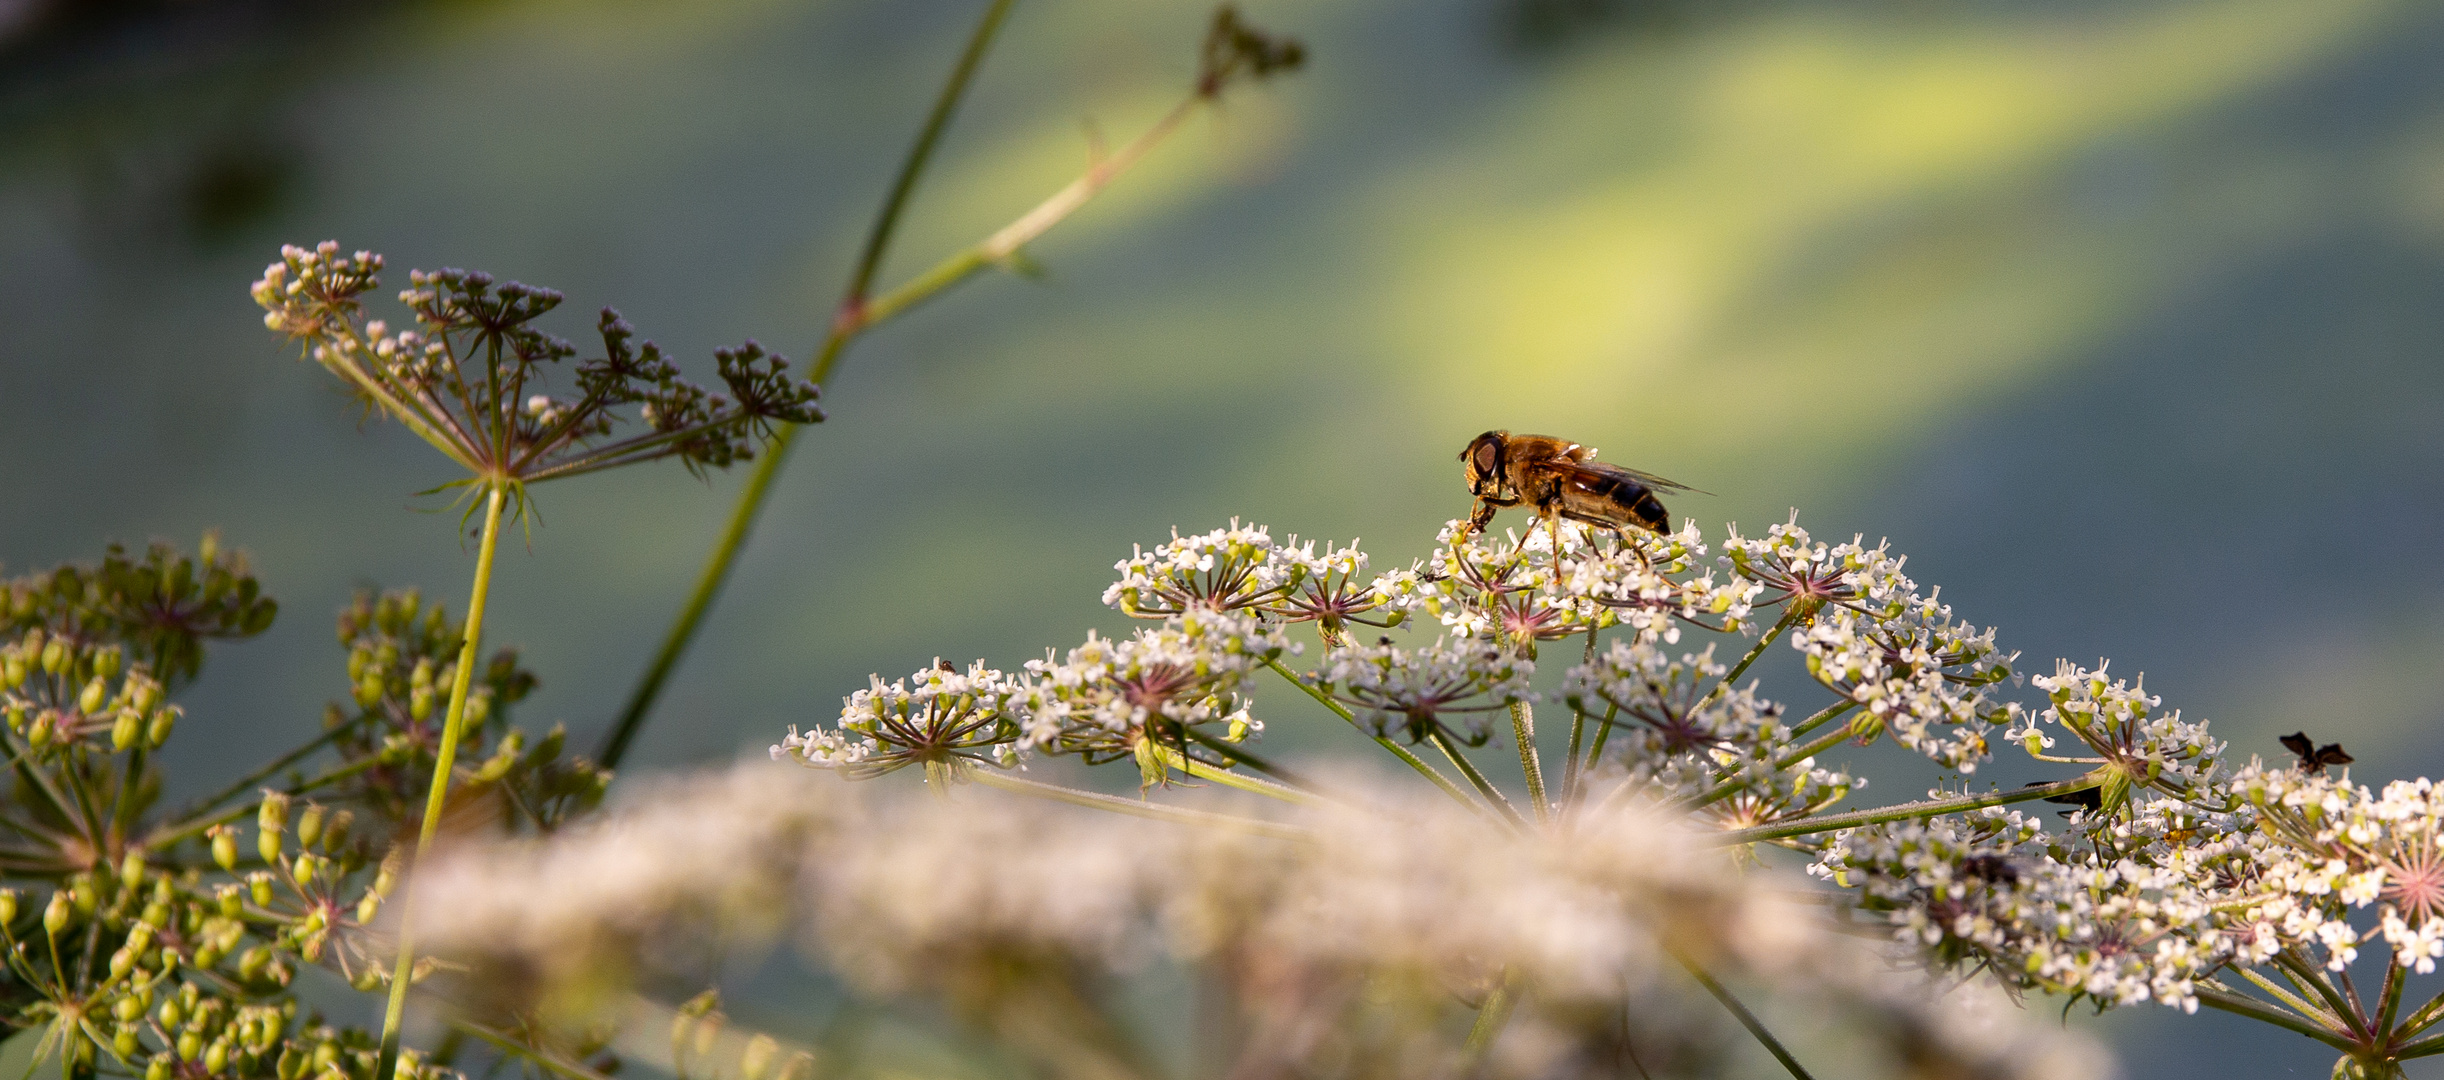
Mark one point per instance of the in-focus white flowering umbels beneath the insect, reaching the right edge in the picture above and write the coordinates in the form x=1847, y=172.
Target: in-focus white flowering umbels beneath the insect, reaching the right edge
x=2174, y=878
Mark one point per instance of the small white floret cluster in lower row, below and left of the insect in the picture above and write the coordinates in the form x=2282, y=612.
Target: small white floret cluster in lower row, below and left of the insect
x=1416, y=693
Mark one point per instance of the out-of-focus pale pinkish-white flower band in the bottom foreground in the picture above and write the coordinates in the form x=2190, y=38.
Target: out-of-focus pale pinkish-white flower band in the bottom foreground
x=1345, y=944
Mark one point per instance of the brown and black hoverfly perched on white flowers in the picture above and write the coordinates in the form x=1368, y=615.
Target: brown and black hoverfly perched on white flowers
x=1563, y=480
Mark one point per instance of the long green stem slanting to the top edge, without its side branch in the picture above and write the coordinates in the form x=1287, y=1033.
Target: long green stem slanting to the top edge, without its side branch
x=879, y=241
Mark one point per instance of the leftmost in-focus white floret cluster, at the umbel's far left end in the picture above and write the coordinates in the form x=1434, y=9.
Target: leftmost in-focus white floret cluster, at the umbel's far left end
x=935, y=717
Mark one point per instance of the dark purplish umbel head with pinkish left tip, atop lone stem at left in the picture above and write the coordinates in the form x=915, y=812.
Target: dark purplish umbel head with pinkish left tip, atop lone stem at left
x=470, y=378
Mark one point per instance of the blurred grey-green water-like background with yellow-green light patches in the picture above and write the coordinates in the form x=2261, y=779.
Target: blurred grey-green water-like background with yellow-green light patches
x=2120, y=319
